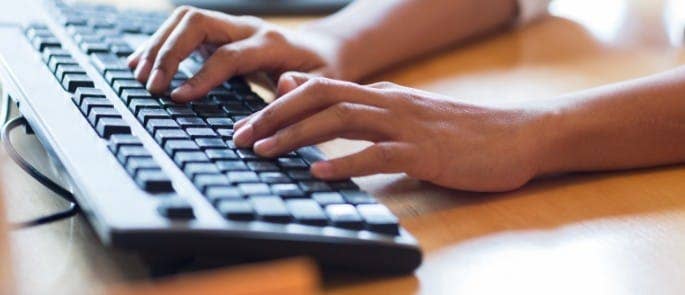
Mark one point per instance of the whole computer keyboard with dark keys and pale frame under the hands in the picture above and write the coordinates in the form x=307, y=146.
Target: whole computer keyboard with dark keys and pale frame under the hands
x=164, y=178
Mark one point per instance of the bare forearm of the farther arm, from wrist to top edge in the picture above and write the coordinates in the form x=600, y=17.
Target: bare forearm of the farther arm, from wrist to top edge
x=375, y=34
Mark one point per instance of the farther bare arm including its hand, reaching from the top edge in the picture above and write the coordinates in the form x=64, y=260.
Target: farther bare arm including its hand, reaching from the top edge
x=363, y=38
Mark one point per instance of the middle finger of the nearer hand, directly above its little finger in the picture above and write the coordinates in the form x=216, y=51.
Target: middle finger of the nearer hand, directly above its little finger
x=340, y=120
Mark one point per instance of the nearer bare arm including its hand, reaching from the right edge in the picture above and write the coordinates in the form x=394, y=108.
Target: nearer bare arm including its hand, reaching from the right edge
x=471, y=146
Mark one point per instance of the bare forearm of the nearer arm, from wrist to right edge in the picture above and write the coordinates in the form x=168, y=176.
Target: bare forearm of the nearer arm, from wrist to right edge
x=633, y=124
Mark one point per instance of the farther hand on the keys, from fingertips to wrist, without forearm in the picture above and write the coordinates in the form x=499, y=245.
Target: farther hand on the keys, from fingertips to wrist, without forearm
x=240, y=45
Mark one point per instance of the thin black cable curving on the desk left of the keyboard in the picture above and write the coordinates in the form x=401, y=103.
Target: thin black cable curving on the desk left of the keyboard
x=38, y=176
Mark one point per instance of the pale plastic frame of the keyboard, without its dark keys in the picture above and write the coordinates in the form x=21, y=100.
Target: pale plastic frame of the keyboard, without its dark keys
x=105, y=191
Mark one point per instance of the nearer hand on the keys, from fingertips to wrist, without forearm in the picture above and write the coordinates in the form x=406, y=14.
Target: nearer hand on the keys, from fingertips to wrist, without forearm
x=446, y=142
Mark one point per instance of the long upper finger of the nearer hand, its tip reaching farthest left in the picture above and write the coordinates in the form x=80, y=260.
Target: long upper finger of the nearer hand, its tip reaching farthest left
x=313, y=96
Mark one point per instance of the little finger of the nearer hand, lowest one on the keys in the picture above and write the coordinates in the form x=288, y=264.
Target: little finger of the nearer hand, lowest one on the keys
x=386, y=157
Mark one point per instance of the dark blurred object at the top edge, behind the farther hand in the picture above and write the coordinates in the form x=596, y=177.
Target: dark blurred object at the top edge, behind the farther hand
x=261, y=7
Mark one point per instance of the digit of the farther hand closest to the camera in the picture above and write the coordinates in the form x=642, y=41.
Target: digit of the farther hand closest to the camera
x=227, y=61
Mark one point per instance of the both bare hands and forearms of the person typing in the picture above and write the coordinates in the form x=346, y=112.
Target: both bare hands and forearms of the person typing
x=442, y=140
